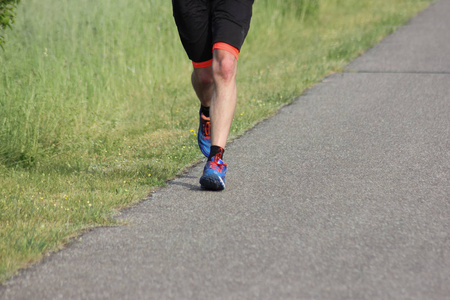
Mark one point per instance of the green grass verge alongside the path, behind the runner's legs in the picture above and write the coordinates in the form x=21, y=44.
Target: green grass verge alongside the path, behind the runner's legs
x=96, y=108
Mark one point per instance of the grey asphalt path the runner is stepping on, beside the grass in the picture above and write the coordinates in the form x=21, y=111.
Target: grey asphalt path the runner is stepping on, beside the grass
x=344, y=194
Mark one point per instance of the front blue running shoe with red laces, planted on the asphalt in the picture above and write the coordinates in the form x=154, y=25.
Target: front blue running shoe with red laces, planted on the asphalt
x=214, y=175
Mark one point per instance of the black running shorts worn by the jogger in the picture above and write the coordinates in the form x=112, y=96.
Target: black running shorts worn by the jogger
x=203, y=23
